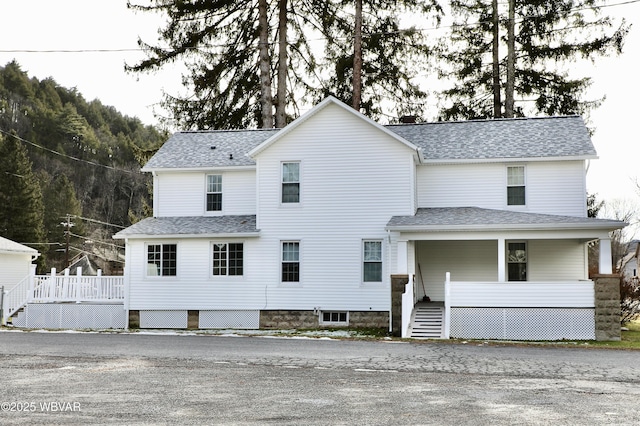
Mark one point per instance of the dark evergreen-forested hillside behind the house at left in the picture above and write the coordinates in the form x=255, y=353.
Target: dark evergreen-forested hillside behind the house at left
x=63, y=155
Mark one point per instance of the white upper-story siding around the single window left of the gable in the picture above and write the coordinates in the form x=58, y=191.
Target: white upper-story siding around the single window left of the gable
x=184, y=193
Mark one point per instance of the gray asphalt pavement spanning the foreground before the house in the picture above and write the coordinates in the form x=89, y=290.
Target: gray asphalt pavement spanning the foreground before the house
x=89, y=378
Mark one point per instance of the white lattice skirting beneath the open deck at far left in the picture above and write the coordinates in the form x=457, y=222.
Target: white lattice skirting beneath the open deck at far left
x=72, y=316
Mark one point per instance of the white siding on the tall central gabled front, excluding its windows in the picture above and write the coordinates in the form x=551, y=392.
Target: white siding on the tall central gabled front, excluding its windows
x=354, y=179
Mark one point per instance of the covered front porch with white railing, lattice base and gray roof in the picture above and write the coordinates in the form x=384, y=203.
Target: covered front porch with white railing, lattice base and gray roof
x=501, y=275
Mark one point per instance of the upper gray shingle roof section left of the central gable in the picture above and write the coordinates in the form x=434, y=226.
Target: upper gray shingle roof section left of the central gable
x=195, y=149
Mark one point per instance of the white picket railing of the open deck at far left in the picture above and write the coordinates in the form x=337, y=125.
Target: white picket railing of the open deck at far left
x=54, y=288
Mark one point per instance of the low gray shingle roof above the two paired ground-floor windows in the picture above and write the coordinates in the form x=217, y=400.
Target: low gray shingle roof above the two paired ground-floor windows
x=195, y=226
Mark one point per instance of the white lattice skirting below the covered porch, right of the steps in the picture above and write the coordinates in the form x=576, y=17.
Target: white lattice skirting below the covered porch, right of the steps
x=522, y=323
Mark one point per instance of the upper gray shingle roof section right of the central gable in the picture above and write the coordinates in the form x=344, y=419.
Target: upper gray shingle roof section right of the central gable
x=565, y=136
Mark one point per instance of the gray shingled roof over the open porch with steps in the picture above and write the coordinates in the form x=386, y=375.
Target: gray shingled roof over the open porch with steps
x=478, y=219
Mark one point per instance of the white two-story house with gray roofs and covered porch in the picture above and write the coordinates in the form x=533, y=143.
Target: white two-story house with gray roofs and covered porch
x=308, y=226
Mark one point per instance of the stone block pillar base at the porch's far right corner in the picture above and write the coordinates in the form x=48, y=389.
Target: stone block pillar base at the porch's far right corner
x=607, y=306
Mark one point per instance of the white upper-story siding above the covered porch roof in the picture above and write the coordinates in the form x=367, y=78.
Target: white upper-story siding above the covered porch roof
x=556, y=187
